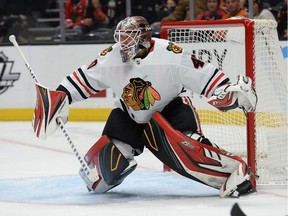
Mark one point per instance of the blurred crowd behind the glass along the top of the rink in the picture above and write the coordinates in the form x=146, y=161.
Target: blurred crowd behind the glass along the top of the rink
x=34, y=21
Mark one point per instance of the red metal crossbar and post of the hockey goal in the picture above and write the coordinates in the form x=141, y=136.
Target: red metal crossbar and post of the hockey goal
x=250, y=72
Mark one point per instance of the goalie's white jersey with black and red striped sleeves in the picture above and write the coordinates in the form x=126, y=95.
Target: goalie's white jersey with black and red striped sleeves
x=147, y=85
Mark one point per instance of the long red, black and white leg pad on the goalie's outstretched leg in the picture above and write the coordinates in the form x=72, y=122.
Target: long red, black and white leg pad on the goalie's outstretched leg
x=201, y=162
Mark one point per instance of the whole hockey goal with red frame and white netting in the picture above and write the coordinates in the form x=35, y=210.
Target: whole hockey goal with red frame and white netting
x=251, y=47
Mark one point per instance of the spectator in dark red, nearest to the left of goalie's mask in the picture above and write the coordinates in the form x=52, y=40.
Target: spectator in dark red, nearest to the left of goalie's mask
x=95, y=12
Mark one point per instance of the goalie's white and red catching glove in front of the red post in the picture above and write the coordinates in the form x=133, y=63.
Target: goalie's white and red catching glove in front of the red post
x=230, y=96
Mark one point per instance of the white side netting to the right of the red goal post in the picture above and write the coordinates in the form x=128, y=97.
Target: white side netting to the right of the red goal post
x=271, y=116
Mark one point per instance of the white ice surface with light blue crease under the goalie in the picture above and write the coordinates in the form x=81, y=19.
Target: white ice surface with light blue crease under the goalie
x=41, y=178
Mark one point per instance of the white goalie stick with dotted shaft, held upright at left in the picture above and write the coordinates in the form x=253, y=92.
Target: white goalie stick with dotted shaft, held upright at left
x=89, y=172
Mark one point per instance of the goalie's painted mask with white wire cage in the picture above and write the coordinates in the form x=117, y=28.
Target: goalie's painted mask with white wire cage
x=132, y=34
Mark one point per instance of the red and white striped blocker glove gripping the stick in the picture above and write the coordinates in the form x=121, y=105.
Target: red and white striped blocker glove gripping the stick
x=50, y=105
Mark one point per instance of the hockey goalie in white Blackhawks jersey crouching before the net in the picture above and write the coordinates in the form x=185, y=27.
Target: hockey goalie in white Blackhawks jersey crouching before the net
x=151, y=78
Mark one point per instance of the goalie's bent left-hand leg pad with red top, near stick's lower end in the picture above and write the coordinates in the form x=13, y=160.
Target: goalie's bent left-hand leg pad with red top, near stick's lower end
x=113, y=163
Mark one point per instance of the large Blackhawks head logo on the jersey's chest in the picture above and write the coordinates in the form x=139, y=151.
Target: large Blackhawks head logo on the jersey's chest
x=139, y=94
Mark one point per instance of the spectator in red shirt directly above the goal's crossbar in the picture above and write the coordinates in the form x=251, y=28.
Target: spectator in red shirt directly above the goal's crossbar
x=214, y=12
